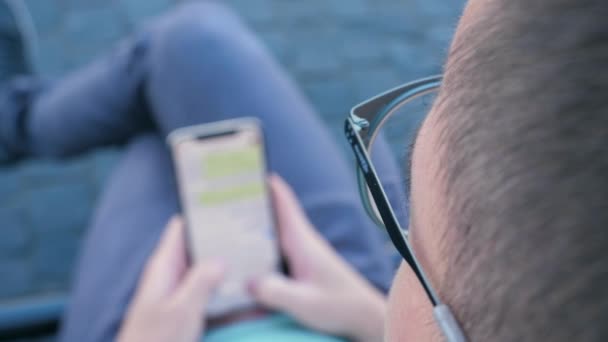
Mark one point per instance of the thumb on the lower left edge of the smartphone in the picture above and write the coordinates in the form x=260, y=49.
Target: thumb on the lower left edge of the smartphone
x=198, y=284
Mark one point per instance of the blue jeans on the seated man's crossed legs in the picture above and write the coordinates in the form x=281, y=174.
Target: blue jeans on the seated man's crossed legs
x=196, y=64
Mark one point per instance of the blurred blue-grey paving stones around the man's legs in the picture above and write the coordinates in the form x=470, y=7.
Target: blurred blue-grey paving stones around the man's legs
x=339, y=51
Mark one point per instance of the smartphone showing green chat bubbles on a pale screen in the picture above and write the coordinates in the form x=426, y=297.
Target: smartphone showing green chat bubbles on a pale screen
x=222, y=183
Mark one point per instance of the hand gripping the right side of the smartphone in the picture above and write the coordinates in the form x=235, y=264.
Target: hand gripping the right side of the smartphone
x=324, y=292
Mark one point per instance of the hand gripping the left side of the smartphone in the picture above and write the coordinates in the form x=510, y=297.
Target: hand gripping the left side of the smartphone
x=169, y=304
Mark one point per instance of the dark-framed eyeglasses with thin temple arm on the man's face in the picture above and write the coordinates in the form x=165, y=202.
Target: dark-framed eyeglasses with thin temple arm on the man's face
x=362, y=128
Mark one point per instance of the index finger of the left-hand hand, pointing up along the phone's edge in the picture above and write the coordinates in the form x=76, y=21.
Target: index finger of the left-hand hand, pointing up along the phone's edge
x=167, y=263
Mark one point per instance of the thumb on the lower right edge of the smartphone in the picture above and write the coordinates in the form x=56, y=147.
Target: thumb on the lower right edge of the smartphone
x=282, y=294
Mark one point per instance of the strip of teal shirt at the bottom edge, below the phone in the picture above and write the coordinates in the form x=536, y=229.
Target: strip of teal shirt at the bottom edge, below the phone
x=273, y=328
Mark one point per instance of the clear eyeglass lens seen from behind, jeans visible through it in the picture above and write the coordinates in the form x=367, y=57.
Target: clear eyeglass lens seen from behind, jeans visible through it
x=390, y=152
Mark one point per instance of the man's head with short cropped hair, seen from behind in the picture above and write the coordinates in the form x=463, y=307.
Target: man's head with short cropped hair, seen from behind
x=510, y=178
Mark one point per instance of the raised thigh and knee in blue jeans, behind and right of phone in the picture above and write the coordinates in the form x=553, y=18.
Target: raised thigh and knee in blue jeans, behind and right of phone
x=205, y=66
